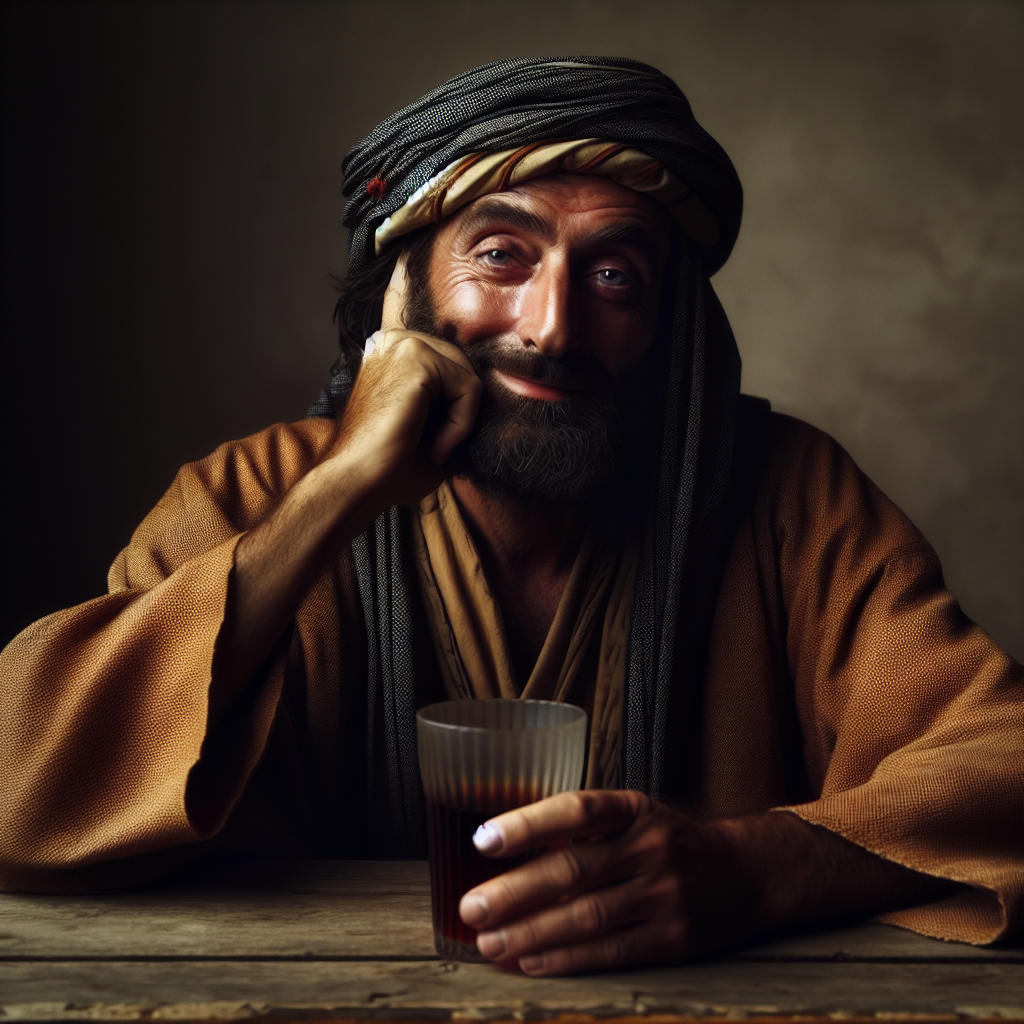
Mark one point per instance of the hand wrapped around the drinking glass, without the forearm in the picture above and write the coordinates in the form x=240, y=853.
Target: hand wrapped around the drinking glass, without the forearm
x=651, y=886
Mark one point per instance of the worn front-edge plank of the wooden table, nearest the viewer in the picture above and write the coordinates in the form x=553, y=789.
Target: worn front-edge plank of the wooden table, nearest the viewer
x=235, y=991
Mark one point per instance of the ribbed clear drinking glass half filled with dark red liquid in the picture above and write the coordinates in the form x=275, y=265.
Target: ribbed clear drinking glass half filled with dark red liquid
x=478, y=759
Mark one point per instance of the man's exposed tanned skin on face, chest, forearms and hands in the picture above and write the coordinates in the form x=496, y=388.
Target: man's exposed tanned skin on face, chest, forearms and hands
x=561, y=264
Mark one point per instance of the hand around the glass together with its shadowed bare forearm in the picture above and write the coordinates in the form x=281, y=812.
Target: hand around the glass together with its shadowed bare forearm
x=645, y=884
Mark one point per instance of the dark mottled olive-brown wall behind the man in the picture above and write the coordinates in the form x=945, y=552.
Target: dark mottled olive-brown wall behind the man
x=172, y=219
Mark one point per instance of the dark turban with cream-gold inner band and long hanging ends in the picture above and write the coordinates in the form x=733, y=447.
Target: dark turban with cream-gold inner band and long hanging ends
x=473, y=136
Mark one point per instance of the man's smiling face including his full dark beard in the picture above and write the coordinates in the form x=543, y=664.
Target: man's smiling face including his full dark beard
x=553, y=290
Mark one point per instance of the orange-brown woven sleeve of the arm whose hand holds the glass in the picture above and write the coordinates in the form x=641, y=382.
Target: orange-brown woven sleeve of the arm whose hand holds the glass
x=912, y=715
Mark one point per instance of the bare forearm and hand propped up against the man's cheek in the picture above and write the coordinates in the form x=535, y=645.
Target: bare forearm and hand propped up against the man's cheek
x=380, y=458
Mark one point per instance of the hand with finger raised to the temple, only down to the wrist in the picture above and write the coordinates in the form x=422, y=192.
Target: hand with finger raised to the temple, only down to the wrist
x=381, y=435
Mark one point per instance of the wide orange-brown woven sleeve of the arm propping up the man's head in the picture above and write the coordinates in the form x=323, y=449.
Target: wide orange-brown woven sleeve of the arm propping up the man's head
x=104, y=707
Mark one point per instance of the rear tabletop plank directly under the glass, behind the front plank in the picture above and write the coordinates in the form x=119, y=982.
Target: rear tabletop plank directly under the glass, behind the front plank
x=330, y=910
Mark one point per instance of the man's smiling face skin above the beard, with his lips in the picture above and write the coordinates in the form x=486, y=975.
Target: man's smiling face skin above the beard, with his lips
x=567, y=264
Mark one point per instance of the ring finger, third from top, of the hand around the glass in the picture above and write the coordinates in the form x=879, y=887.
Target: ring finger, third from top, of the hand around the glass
x=582, y=919
